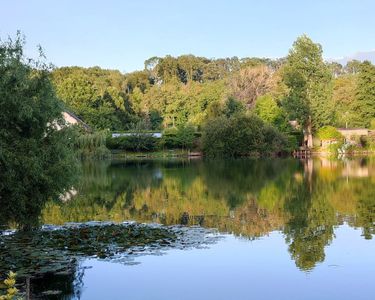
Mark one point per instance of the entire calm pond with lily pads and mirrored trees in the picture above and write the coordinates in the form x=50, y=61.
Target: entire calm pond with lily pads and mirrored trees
x=195, y=229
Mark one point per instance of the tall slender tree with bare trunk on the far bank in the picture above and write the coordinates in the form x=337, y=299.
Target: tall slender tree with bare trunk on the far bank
x=309, y=81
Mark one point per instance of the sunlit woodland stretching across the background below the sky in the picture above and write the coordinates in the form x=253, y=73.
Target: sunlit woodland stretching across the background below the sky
x=174, y=91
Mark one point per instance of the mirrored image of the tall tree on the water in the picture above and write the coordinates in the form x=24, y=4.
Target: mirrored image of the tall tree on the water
x=311, y=221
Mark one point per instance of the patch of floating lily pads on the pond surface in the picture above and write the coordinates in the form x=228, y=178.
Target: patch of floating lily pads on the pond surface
x=57, y=250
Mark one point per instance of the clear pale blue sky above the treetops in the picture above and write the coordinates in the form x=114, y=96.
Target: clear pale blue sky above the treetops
x=122, y=34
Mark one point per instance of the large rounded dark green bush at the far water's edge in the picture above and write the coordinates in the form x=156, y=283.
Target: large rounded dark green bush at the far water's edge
x=241, y=135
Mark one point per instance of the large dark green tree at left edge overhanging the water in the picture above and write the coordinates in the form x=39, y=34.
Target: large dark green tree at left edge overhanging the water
x=36, y=159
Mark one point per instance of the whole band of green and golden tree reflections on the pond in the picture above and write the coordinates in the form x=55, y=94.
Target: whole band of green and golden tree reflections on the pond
x=249, y=198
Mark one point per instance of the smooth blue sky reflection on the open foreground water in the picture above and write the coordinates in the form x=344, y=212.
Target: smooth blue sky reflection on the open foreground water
x=240, y=269
